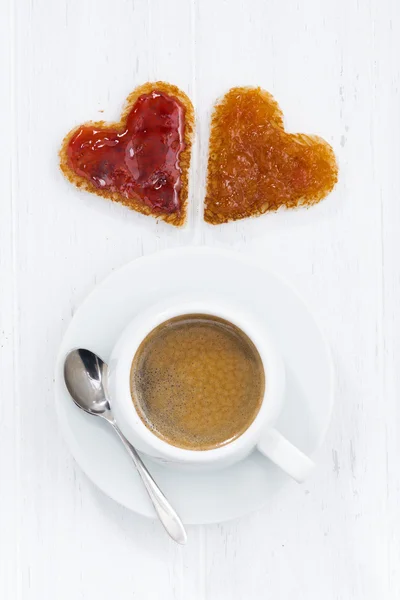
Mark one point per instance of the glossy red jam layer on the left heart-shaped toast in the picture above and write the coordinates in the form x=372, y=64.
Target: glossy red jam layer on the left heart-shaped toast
x=139, y=161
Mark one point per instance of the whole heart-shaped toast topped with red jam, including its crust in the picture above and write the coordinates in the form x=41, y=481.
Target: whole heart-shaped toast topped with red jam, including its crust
x=142, y=161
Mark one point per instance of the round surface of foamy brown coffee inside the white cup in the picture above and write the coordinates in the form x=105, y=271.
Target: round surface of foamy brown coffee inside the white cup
x=197, y=382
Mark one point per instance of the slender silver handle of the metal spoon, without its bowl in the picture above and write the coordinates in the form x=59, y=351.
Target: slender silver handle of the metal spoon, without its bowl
x=168, y=517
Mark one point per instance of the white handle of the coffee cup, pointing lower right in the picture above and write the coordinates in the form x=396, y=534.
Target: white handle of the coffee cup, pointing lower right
x=278, y=449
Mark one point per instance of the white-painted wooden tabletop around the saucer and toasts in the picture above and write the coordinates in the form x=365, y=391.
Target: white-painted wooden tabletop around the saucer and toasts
x=334, y=68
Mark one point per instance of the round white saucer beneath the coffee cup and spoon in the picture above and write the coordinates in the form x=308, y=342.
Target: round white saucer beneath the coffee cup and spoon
x=249, y=485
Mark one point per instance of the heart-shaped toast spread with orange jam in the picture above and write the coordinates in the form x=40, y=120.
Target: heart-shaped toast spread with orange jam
x=254, y=166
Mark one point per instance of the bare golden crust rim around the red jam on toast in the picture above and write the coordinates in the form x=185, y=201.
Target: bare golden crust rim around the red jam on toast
x=176, y=219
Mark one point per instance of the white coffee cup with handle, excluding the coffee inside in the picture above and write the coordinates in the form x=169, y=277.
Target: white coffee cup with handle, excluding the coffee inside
x=260, y=435
